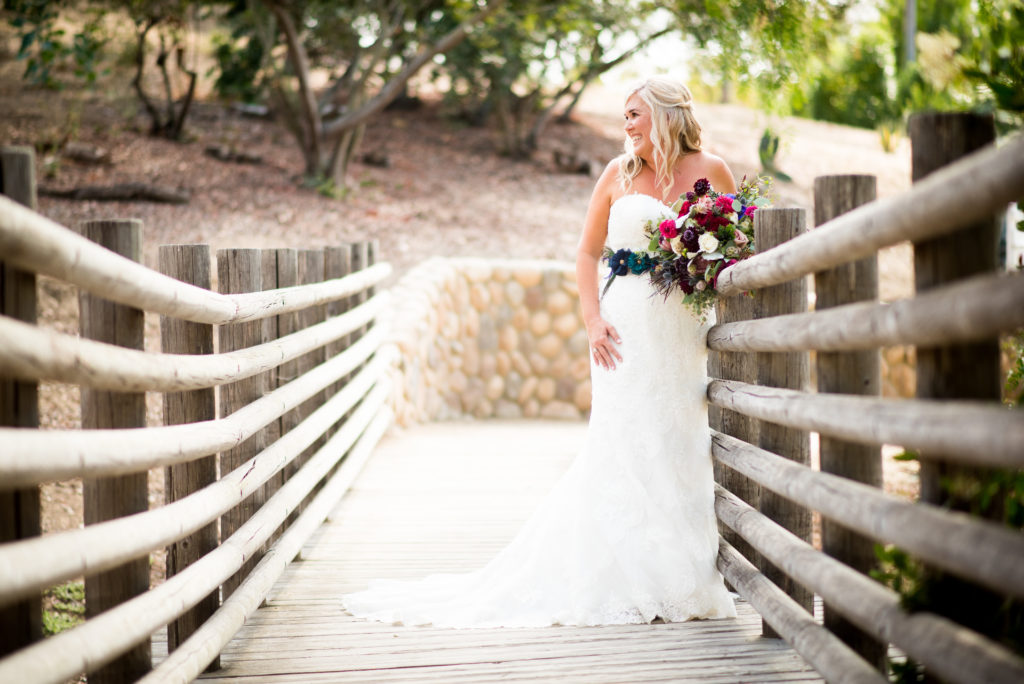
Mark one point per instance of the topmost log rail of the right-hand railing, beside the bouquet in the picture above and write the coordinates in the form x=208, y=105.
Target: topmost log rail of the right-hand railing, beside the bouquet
x=933, y=207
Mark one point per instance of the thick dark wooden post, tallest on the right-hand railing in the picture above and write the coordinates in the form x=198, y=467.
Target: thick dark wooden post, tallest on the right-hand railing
x=956, y=371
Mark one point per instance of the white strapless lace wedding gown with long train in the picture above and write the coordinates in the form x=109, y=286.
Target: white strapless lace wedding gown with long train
x=629, y=533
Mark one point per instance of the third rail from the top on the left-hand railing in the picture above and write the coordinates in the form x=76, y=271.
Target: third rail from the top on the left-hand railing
x=32, y=457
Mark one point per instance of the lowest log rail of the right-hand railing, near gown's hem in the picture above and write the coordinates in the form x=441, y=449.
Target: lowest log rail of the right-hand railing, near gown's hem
x=837, y=662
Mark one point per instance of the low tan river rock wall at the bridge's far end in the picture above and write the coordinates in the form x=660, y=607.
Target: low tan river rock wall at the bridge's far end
x=485, y=338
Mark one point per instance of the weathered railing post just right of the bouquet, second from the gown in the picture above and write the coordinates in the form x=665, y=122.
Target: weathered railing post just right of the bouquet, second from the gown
x=787, y=370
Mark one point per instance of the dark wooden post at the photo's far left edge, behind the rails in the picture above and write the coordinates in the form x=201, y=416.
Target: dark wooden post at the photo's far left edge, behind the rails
x=21, y=623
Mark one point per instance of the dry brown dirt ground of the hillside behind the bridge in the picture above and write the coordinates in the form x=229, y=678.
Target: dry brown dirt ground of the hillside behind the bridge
x=446, y=192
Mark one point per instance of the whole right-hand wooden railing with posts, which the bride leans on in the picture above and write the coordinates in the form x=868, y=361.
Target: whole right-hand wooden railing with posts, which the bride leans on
x=763, y=413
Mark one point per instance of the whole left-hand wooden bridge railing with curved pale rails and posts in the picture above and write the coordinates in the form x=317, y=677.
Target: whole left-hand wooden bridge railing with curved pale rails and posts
x=302, y=388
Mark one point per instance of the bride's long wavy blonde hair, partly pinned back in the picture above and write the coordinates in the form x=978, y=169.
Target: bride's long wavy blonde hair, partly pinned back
x=674, y=132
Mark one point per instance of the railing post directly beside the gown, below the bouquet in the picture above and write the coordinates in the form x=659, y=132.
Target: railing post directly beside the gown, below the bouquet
x=741, y=367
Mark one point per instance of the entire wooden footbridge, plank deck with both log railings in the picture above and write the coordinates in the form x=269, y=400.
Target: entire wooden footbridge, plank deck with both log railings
x=278, y=393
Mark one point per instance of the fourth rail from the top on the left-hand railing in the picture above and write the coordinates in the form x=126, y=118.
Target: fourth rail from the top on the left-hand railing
x=39, y=563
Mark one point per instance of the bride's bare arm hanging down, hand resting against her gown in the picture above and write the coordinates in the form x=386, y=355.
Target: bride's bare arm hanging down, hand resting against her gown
x=589, y=253
